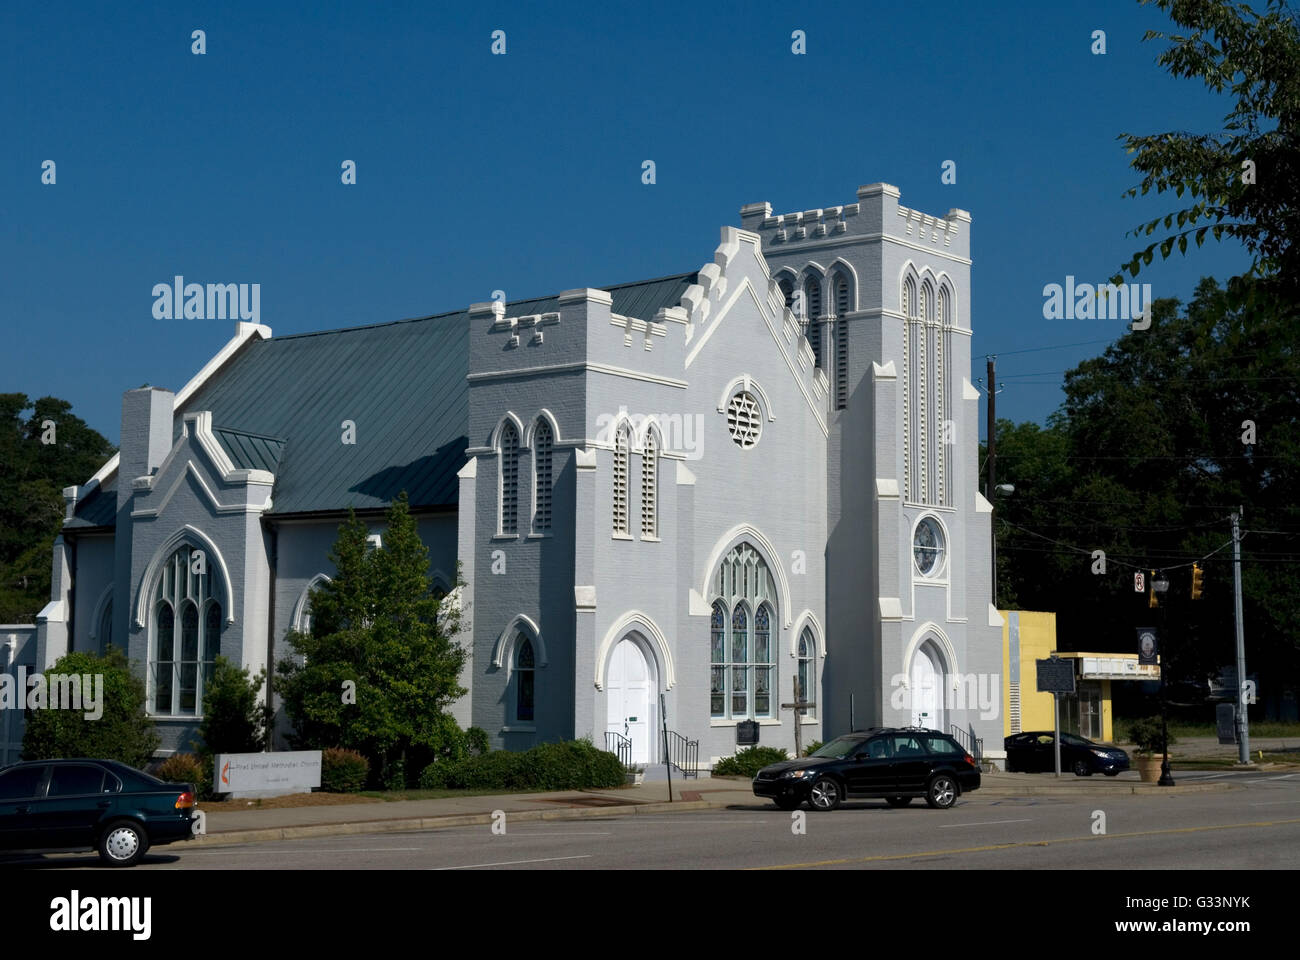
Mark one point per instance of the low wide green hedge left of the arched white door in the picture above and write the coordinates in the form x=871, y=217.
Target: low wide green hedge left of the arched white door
x=571, y=766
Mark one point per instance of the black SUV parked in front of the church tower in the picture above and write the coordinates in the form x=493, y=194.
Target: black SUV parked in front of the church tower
x=892, y=763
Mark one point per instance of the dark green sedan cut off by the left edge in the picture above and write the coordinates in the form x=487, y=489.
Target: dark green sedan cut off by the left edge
x=66, y=806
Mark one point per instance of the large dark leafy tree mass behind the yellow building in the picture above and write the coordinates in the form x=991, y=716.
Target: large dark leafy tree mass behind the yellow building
x=1158, y=442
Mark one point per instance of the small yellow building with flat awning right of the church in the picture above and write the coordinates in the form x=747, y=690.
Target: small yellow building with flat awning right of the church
x=1029, y=637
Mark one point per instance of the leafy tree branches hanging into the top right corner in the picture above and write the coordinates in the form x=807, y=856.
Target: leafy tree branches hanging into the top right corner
x=1243, y=183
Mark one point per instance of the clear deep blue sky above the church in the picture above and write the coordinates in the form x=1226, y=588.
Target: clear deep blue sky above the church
x=523, y=172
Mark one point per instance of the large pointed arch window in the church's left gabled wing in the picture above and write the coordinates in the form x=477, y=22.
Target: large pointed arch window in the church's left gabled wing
x=187, y=634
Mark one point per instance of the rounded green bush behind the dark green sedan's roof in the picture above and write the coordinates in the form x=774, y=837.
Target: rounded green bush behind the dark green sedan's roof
x=124, y=732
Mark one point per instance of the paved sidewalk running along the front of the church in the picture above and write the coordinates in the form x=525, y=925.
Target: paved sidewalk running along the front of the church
x=227, y=825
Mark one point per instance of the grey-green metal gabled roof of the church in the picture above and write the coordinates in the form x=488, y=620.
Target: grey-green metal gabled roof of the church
x=280, y=405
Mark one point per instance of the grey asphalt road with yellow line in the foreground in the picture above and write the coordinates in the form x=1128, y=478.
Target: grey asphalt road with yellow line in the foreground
x=1256, y=827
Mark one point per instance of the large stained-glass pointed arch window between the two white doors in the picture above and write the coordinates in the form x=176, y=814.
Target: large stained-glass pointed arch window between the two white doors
x=743, y=669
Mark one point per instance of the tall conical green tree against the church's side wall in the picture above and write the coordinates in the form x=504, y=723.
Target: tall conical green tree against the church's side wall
x=382, y=661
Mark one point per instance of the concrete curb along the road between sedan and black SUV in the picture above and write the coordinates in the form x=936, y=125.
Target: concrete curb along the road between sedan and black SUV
x=228, y=838
